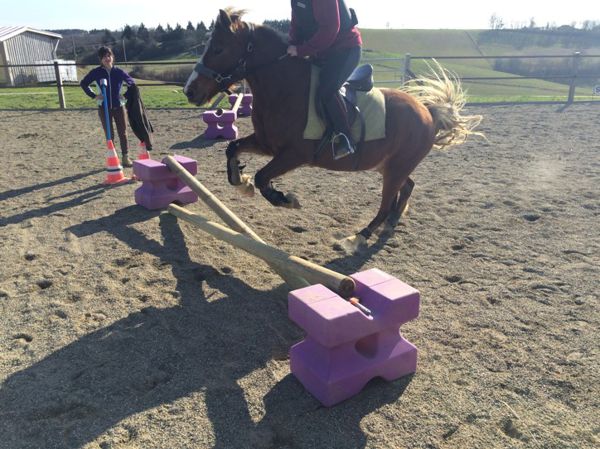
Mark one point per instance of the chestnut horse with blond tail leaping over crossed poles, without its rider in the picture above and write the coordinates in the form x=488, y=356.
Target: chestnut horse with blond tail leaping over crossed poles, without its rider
x=423, y=114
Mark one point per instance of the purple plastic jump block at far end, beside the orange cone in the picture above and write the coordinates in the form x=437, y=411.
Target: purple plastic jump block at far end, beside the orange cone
x=160, y=186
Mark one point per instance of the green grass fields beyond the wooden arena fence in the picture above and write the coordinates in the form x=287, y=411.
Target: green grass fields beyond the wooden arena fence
x=386, y=49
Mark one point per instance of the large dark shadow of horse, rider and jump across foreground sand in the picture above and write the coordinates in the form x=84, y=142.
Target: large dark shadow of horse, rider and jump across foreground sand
x=157, y=356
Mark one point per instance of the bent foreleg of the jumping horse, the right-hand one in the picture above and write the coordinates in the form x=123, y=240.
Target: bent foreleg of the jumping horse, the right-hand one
x=278, y=166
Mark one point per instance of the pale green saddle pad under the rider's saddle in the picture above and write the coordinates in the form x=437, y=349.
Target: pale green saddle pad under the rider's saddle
x=371, y=104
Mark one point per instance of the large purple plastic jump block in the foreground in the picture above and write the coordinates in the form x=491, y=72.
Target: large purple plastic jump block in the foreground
x=344, y=348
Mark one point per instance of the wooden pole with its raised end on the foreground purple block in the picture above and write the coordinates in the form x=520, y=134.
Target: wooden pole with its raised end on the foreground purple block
x=312, y=272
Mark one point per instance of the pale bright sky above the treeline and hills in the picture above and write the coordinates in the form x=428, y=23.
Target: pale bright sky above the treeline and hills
x=431, y=14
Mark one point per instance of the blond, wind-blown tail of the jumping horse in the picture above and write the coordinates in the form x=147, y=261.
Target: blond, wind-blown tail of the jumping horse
x=442, y=94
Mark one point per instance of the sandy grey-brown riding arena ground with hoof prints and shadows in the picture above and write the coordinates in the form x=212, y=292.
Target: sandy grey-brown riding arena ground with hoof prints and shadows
x=122, y=328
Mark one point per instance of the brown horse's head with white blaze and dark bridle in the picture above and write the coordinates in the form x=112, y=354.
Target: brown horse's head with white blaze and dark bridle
x=224, y=60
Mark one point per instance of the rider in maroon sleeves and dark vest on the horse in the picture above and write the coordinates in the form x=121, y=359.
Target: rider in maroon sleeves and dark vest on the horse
x=325, y=30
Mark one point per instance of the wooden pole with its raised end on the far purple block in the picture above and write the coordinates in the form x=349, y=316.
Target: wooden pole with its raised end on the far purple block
x=232, y=220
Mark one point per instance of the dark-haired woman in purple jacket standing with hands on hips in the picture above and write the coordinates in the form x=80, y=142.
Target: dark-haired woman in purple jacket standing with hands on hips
x=115, y=78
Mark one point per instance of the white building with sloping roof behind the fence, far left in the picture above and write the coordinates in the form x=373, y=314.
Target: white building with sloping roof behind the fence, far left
x=24, y=45
